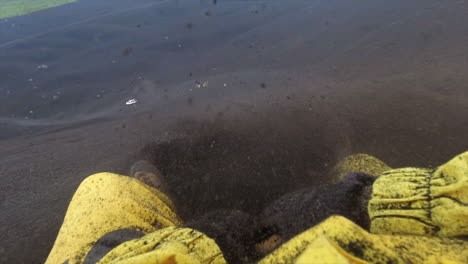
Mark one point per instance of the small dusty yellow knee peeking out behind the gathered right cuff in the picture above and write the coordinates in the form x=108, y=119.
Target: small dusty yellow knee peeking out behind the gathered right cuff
x=357, y=163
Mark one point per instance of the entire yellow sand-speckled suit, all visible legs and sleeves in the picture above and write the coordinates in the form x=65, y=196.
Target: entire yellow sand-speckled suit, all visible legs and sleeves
x=405, y=201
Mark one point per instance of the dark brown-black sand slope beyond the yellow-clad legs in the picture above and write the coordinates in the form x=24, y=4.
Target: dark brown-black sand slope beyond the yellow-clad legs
x=291, y=87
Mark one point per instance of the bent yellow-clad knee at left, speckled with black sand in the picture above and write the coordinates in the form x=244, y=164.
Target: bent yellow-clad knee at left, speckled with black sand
x=106, y=202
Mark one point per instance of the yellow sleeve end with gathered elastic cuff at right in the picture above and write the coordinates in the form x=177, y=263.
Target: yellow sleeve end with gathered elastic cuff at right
x=422, y=201
